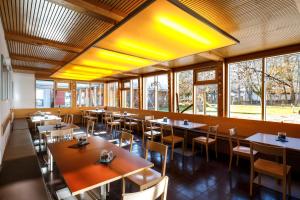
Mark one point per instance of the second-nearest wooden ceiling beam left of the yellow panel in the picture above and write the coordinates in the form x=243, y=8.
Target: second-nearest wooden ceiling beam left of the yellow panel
x=41, y=41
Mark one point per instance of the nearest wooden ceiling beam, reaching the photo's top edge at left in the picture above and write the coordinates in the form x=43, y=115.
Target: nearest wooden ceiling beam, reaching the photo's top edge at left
x=97, y=10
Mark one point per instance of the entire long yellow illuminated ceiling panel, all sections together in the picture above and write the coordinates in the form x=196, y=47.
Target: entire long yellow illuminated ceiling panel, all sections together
x=158, y=31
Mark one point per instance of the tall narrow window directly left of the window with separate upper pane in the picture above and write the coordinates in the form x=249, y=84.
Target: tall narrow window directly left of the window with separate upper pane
x=184, y=91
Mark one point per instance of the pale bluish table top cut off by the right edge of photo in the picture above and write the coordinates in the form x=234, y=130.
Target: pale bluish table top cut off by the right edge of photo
x=265, y=138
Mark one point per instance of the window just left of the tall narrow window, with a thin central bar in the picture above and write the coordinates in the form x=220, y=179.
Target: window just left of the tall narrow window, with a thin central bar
x=156, y=93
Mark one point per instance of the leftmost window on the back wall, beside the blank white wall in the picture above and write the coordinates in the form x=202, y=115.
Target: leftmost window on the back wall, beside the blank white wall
x=44, y=94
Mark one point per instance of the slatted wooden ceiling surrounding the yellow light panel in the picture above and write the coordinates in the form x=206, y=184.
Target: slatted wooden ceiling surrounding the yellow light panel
x=59, y=30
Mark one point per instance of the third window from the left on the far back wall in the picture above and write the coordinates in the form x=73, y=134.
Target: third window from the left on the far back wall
x=82, y=99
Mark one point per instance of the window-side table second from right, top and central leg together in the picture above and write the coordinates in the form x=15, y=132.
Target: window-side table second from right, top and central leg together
x=181, y=124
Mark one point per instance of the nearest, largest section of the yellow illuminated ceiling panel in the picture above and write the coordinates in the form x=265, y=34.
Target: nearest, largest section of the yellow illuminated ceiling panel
x=165, y=30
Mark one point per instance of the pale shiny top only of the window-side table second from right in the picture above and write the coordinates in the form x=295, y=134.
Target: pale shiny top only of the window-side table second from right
x=179, y=123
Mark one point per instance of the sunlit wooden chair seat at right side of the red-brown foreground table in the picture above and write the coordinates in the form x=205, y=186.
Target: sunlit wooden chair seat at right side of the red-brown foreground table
x=147, y=176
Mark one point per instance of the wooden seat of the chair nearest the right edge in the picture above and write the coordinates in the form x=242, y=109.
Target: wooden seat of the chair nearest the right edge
x=270, y=168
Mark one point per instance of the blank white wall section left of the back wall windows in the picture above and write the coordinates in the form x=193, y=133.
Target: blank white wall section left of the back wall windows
x=24, y=90
